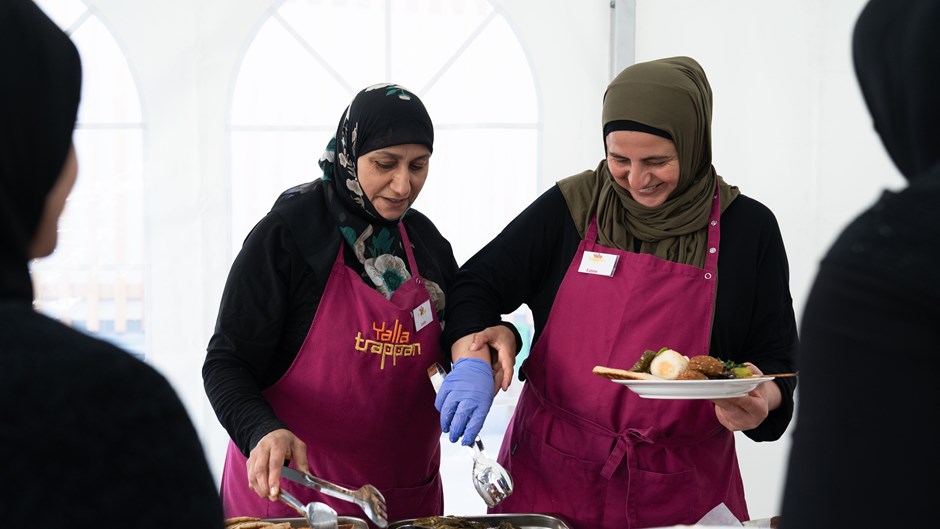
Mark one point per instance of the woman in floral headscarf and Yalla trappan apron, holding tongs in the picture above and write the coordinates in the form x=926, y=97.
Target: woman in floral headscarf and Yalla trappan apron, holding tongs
x=330, y=317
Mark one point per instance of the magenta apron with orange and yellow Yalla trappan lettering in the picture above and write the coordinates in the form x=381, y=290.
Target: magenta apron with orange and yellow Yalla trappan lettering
x=358, y=395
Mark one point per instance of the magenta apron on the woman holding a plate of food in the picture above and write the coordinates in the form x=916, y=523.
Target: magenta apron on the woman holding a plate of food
x=592, y=451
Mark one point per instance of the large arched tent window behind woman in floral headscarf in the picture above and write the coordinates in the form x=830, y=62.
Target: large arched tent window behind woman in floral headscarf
x=310, y=57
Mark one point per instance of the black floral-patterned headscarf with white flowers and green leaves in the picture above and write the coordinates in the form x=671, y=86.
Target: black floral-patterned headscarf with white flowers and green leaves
x=379, y=116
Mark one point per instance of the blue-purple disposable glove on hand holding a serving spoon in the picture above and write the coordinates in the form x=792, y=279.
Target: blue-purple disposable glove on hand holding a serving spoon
x=465, y=398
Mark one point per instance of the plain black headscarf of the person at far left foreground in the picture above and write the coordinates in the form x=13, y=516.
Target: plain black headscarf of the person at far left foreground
x=39, y=95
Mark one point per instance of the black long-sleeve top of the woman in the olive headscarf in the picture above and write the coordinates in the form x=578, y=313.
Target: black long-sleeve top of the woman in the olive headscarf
x=753, y=321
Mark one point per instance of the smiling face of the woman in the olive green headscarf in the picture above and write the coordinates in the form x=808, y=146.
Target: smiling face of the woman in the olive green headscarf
x=644, y=164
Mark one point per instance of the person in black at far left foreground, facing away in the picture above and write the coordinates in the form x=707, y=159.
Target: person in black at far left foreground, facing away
x=83, y=424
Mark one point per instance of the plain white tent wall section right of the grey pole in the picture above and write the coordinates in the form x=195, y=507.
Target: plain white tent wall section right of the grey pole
x=789, y=128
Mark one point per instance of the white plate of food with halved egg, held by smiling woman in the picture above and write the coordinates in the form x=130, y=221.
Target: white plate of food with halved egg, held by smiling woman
x=667, y=374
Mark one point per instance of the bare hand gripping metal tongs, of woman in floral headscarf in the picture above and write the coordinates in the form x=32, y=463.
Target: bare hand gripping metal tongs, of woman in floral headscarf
x=267, y=458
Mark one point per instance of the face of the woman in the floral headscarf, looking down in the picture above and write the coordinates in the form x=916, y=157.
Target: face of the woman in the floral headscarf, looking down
x=392, y=177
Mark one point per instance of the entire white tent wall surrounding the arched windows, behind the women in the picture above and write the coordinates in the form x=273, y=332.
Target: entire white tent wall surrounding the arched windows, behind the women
x=790, y=129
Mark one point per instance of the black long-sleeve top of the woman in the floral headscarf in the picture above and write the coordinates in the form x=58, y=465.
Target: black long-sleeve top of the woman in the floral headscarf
x=271, y=296
